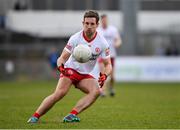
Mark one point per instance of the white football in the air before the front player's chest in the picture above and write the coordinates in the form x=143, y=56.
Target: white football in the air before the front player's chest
x=82, y=53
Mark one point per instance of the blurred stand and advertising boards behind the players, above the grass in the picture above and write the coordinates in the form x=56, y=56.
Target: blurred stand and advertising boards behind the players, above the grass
x=32, y=30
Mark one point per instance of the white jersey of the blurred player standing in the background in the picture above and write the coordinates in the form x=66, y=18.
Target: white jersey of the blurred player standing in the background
x=110, y=34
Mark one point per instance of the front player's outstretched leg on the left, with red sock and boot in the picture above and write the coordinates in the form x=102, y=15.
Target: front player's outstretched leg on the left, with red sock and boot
x=61, y=90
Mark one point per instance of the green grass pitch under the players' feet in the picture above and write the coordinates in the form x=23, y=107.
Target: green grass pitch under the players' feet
x=136, y=105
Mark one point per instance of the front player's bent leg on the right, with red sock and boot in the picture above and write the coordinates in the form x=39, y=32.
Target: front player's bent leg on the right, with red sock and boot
x=91, y=88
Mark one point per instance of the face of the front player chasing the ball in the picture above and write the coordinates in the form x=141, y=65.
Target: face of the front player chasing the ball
x=89, y=26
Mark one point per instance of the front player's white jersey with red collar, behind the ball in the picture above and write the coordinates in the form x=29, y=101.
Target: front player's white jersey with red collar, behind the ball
x=98, y=46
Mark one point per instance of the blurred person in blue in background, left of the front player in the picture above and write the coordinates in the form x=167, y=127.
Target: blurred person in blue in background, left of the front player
x=52, y=58
